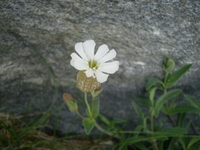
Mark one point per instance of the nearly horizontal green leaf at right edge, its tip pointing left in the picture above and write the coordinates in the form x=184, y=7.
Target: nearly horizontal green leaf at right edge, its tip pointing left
x=184, y=109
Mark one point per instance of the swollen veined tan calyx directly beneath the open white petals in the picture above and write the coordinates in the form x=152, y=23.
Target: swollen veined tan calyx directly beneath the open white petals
x=86, y=84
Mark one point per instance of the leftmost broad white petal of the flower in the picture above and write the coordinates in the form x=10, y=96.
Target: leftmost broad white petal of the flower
x=78, y=63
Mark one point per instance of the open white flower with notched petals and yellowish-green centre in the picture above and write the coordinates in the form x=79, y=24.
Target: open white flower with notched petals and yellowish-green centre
x=95, y=65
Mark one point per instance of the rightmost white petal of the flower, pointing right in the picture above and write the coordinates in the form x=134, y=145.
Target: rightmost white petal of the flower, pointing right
x=110, y=67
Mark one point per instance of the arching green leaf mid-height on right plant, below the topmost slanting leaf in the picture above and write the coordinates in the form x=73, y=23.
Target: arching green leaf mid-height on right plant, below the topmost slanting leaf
x=164, y=98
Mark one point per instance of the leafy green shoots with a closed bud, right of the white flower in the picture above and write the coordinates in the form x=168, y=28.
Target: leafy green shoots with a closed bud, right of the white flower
x=148, y=130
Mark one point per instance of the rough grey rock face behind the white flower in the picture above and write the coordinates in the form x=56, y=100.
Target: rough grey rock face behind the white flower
x=38, y=36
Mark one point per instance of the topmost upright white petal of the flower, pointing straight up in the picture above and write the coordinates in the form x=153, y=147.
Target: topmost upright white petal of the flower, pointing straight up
x=88, y=47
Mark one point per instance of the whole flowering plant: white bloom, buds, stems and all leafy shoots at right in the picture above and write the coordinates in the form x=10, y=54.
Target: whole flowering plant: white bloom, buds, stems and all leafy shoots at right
x=148, y=135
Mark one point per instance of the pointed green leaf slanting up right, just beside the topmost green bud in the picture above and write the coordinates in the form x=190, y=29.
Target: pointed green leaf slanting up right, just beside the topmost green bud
x=174, y=77
